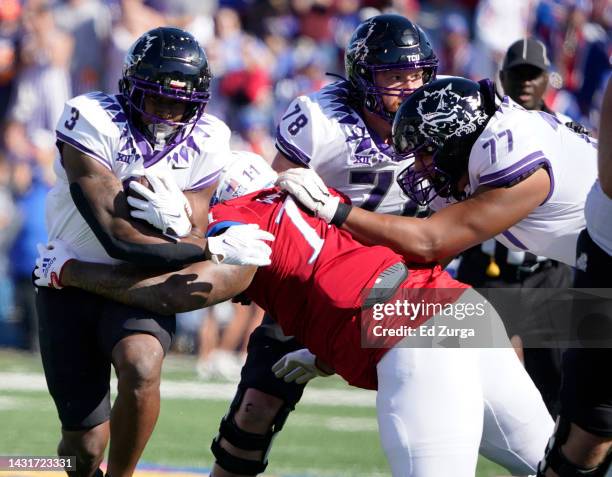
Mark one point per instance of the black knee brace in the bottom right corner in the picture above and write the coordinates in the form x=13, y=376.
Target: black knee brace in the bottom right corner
x=555, y=459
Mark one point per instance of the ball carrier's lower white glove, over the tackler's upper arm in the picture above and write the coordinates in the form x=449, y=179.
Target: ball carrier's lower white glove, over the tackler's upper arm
x=241, y=245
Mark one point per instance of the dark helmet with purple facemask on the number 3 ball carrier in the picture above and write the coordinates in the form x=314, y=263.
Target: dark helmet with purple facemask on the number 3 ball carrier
x=167, y=62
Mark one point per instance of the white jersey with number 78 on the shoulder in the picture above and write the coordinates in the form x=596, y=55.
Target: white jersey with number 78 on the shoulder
x=324, y=131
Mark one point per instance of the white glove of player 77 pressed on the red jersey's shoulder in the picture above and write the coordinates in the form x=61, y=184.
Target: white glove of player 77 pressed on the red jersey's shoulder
x=308, y=188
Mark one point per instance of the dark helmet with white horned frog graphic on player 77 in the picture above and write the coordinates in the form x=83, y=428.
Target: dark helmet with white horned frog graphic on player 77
x=443, y=119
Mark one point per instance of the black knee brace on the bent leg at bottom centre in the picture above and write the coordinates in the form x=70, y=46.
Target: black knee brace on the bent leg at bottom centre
x=245, y=440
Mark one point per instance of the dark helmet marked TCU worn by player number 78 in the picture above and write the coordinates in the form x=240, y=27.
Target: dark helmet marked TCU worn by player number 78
x=386, y=42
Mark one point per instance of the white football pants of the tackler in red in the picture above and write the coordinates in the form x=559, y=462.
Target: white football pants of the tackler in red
x=437, y=407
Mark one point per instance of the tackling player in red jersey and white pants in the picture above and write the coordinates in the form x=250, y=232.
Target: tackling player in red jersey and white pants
x=435, y=406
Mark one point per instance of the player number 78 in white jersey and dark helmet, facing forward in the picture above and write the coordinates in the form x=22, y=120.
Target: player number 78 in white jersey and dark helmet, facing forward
x=343, y=131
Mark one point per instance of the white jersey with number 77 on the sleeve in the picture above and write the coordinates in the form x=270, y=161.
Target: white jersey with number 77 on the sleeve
x=514, y=144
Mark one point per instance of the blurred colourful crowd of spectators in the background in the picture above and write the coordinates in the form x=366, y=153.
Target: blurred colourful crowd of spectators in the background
x=263, y=53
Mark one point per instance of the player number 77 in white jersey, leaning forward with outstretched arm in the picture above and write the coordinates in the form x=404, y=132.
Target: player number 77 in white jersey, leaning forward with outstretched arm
x=493, y=170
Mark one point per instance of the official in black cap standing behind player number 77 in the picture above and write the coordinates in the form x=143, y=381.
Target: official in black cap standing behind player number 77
x=524, y=76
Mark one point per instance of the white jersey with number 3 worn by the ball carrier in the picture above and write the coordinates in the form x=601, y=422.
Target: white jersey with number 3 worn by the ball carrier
x=97, y=125
